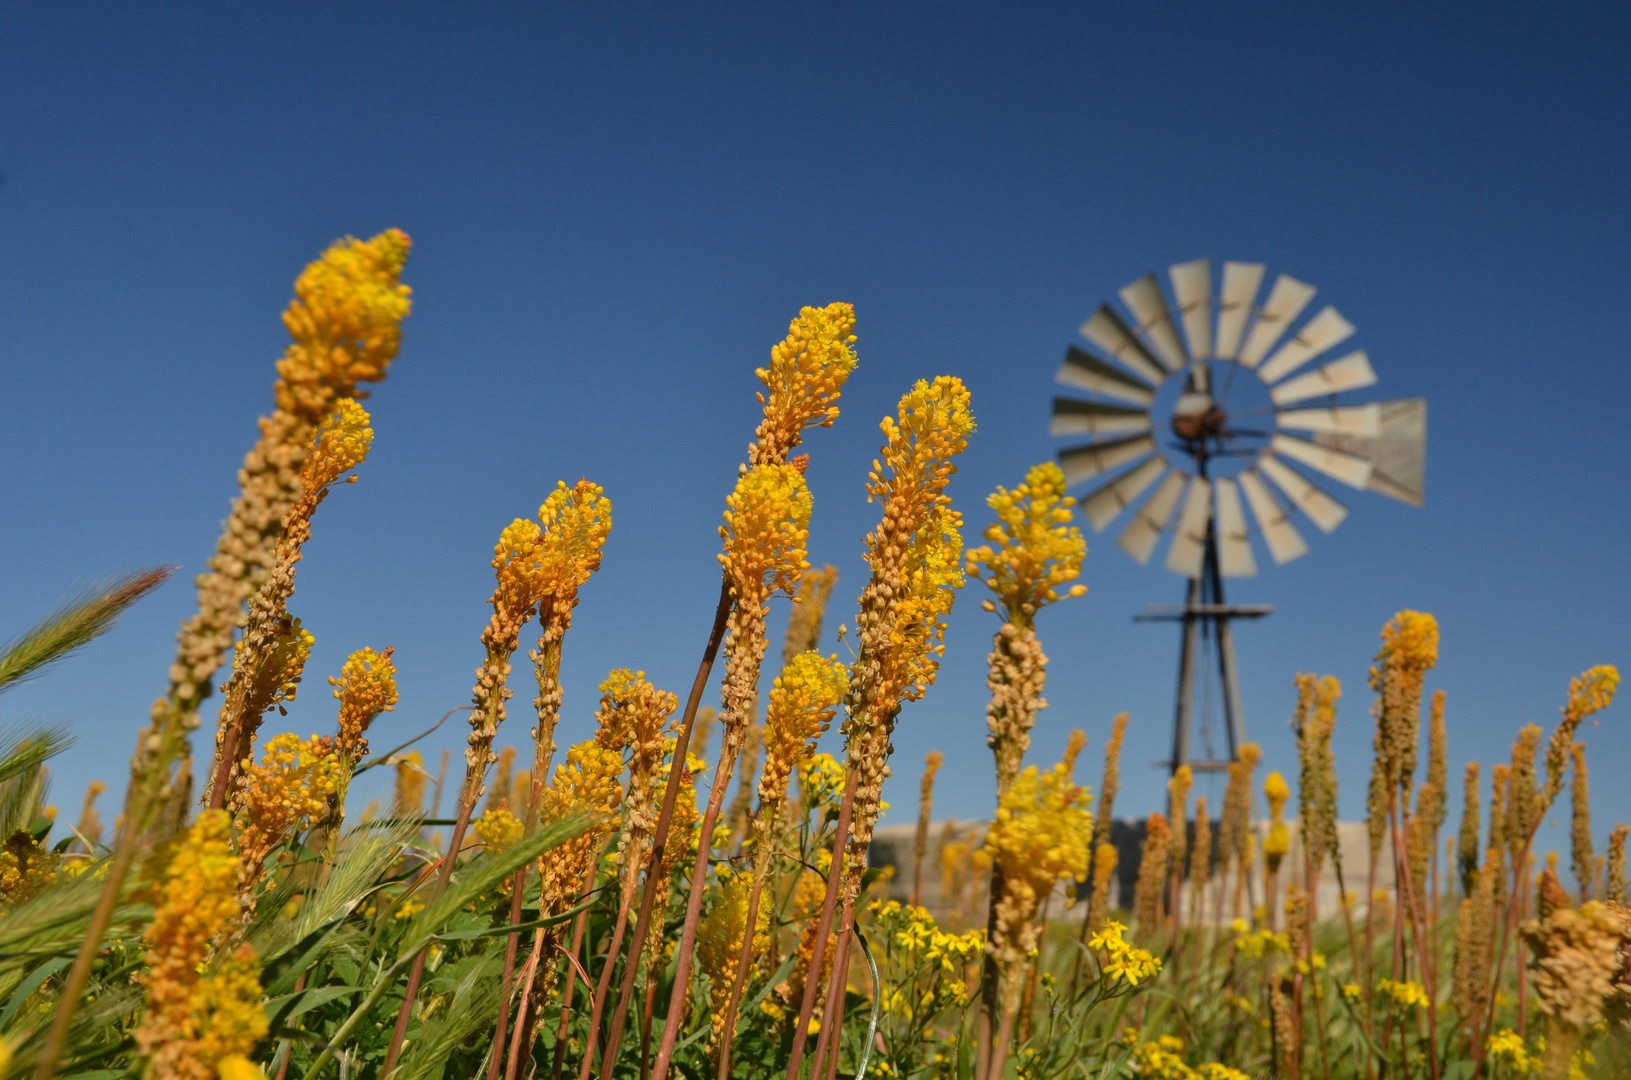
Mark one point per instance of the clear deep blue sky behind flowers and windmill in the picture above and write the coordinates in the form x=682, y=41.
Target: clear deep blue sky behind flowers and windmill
x=616, y=213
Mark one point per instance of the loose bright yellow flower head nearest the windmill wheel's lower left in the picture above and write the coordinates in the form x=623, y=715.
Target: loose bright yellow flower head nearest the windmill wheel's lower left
x=1037, y=547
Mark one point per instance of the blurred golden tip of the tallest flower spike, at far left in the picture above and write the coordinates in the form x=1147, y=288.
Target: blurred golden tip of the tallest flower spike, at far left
x=345, y=321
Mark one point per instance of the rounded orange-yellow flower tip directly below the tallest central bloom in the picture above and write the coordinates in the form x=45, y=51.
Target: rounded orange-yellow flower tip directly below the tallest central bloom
x=766, y=528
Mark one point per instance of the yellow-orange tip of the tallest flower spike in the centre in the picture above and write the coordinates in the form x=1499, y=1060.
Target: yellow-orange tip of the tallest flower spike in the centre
x=805, y=379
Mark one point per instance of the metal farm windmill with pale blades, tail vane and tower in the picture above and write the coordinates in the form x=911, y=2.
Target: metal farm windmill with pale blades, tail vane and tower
x=1190, y=430
